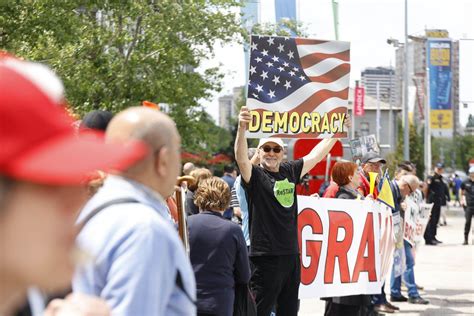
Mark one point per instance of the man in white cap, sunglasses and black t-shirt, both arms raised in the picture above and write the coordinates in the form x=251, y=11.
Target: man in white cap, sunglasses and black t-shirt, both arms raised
x=271, y=189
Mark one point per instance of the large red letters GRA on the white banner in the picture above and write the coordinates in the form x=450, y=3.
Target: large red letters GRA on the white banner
x=336, y=249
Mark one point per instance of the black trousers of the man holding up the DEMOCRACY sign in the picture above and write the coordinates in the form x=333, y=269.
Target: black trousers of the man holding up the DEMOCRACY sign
x=275, y=282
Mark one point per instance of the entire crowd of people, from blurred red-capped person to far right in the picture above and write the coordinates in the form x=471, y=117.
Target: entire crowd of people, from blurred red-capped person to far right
x=88, y=214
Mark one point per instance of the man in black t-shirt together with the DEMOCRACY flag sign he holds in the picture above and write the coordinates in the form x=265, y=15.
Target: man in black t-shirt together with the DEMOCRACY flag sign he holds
x=297, y=88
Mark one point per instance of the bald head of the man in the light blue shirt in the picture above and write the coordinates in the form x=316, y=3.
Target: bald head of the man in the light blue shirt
x=161, y=167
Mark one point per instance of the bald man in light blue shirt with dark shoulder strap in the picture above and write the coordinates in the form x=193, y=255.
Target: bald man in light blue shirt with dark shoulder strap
x=140, y=266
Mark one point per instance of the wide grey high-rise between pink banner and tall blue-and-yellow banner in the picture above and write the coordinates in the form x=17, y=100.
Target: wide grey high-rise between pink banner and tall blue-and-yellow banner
x=387, y=83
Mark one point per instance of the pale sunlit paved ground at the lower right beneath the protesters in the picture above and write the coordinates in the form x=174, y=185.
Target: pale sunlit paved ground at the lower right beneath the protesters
x=446, y=271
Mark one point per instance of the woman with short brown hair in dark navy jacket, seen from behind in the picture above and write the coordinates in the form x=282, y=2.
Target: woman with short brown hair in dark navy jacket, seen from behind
x=218, y=250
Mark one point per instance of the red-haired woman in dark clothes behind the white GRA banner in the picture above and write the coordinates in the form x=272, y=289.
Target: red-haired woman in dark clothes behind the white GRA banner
x=345, y=174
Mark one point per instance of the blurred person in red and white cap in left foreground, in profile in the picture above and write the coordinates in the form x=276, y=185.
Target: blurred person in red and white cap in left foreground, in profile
x=43, y=165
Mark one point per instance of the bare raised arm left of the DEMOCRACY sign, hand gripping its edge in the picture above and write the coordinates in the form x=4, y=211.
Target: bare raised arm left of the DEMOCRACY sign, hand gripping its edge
x=241, y=147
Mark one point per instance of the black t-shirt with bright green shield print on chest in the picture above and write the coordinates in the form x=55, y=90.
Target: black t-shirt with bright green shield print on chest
x=273, y=209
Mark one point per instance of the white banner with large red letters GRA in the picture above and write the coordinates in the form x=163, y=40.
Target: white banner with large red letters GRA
x=345, y=245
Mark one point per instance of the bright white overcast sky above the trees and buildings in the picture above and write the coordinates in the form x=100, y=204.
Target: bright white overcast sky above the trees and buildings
x=367, y=24
